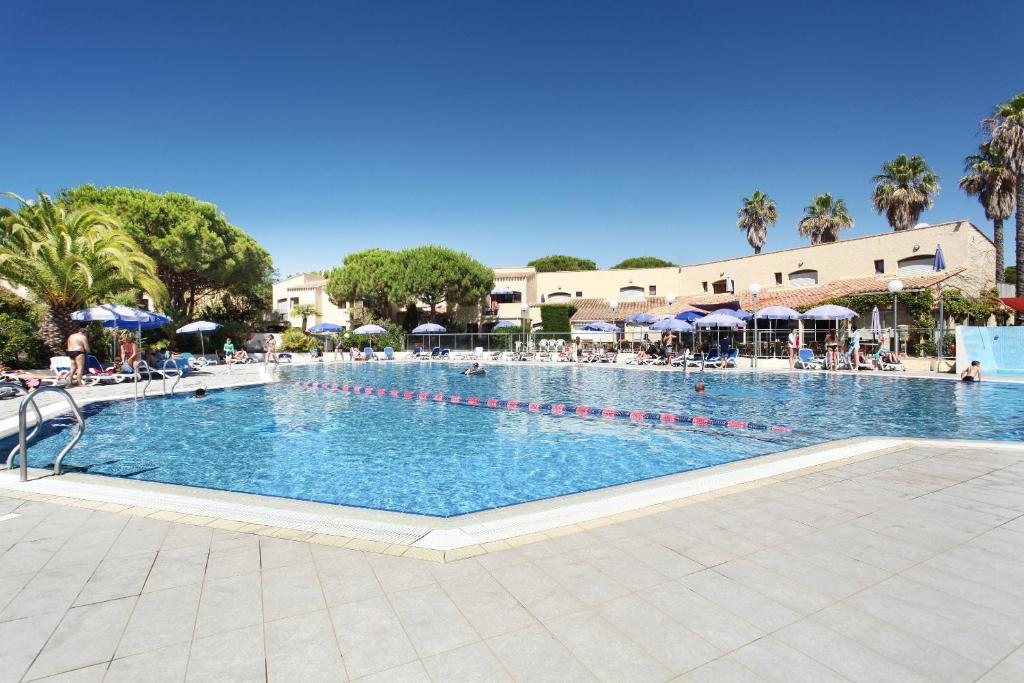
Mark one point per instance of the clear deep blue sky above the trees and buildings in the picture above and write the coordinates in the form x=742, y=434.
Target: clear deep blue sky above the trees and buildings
x=509, y=131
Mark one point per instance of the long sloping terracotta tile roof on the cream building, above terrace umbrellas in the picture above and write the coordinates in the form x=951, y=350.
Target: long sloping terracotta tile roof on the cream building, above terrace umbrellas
x=801, y=297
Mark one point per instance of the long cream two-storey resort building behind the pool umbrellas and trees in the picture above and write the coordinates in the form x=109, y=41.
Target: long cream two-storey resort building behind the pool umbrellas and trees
x=797, y=278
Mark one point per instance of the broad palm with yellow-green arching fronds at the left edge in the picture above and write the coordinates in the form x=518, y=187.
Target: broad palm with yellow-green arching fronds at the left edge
x=71, y=260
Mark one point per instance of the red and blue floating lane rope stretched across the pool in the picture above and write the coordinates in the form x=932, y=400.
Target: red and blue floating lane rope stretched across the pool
x=557, y=410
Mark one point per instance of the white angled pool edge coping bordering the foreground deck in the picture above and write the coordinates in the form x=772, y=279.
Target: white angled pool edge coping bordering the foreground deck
x=450, y=539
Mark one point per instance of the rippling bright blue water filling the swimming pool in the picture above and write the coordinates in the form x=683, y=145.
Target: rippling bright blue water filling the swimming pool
x=445, y=460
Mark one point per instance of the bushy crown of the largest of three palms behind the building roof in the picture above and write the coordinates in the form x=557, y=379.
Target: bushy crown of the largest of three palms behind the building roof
x=905, y=189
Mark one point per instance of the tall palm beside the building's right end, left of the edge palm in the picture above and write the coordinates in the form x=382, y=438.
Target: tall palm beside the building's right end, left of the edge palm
x=991, y=180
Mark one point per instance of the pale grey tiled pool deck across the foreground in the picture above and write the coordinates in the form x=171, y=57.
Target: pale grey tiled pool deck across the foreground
x=906, y=567
